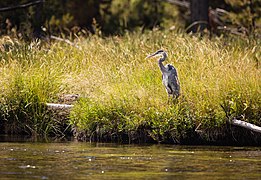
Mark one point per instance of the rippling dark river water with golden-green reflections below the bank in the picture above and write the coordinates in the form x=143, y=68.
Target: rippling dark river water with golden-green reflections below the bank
x=72, y=160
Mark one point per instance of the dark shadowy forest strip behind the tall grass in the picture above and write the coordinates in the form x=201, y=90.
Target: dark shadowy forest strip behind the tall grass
x=27, y=19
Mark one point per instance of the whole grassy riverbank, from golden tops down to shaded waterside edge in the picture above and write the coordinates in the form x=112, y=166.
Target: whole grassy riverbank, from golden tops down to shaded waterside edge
x=122, y=97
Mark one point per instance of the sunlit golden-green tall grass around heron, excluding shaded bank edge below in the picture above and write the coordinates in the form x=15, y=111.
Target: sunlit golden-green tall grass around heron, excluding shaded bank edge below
x=112, y=73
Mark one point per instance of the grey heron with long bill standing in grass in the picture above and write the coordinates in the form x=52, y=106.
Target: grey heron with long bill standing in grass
x=169, y=75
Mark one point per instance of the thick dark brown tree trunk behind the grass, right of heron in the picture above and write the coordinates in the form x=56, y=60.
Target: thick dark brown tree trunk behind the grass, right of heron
x=199, y=15
